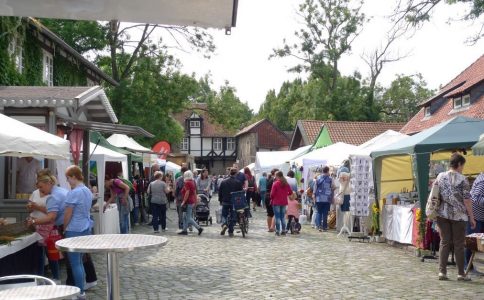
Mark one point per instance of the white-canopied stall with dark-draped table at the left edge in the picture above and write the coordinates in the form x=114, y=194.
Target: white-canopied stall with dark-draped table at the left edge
x=22, y=254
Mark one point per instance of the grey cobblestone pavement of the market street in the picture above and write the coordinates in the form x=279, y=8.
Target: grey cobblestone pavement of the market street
x=311, y=265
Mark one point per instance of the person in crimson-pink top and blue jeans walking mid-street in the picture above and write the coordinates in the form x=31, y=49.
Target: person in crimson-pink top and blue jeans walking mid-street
x=280, y=191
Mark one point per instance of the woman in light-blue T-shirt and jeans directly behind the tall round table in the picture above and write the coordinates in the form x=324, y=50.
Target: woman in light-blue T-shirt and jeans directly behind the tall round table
x=77, y=219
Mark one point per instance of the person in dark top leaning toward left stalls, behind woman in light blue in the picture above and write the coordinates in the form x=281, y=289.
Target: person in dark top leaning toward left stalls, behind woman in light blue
x=119, y=192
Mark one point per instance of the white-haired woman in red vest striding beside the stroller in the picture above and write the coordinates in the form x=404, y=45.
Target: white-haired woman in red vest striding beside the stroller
x=189, y=194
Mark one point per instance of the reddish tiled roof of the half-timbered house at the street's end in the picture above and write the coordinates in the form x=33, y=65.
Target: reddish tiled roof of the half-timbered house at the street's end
x=210, y=128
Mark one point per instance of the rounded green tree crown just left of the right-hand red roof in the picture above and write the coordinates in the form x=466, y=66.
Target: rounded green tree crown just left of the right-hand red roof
x=399, y=102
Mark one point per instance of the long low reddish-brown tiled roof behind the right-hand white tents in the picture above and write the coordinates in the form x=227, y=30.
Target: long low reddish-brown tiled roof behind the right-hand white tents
x=354, y=133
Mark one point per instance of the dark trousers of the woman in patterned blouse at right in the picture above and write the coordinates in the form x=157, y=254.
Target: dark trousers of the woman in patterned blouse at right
x=452, y=233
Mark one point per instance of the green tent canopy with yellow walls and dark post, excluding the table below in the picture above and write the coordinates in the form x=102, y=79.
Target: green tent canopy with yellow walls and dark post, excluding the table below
x=457, y=133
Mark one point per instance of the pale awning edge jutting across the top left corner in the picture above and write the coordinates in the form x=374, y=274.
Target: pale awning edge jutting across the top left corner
x=199, y=13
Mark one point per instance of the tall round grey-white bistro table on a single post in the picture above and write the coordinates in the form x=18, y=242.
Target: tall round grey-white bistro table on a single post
x=112, y=244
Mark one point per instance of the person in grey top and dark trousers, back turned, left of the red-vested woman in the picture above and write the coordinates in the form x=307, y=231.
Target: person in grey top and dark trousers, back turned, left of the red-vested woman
x=158, y=190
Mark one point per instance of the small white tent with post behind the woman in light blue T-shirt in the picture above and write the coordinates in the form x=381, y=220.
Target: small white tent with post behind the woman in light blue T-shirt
x=102, y=155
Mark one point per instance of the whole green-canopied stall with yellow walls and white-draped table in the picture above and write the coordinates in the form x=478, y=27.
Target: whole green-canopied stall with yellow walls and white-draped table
x=404, y=170
